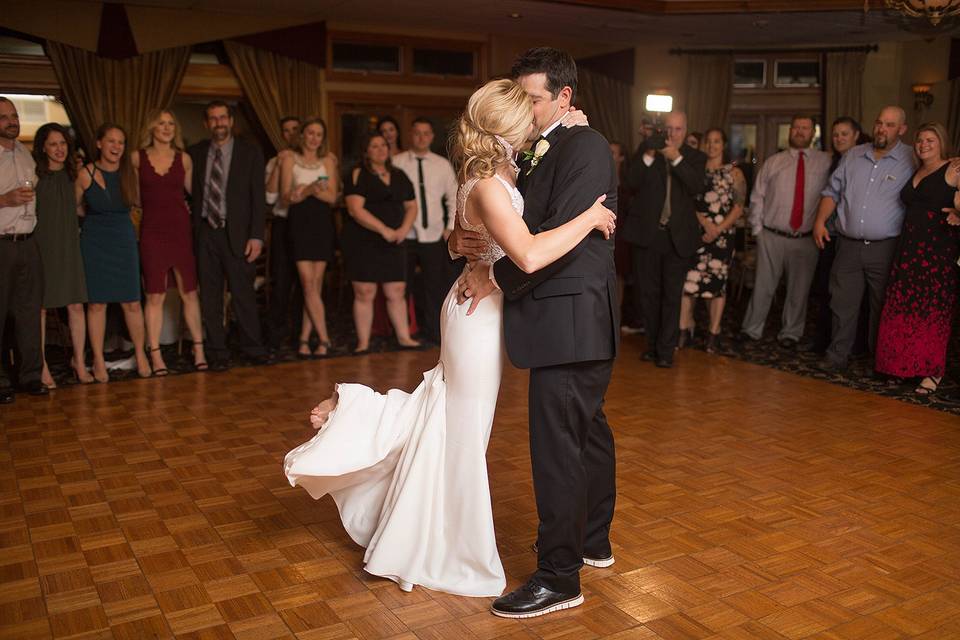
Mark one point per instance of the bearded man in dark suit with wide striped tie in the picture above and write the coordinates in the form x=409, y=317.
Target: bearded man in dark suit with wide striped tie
x=228, y=218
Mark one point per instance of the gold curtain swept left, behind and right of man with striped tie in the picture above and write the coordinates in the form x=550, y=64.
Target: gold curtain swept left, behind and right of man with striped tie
x=276, y=86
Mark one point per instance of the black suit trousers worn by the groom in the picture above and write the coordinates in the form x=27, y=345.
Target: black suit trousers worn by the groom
x=574, y=469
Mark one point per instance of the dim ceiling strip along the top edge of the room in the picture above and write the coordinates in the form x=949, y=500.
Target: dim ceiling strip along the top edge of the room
x=585, y=23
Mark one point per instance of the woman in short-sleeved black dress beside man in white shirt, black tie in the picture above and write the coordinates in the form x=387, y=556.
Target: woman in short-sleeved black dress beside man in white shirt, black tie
x=382, y=208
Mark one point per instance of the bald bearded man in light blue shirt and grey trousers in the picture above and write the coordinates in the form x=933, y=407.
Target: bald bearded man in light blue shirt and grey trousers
x=865, y=192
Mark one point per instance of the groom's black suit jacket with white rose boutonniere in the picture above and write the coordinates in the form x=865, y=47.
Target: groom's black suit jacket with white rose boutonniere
x=567, y=312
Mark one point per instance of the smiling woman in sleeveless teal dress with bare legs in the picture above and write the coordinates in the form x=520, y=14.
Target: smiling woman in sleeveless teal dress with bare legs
x=108, y=243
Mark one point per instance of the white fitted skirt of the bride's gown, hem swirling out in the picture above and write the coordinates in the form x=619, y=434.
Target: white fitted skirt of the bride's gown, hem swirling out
x=408, y=470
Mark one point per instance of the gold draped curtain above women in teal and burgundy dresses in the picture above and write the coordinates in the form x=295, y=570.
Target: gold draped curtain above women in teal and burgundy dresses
x=97, y=90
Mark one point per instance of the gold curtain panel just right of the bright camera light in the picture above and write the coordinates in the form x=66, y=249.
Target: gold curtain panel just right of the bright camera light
x=709, y=85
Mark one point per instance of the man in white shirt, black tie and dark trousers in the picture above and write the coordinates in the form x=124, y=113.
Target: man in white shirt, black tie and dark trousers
x=435, y=188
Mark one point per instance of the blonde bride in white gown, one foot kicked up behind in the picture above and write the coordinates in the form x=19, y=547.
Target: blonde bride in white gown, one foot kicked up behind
x=407, y=470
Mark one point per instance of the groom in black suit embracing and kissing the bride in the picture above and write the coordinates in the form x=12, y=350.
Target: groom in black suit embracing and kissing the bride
x=561, y=323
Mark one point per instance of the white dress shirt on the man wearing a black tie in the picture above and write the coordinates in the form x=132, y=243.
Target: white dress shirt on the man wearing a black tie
x=439, y=182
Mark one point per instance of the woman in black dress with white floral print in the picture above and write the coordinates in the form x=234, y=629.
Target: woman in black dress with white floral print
x=718, y=208
